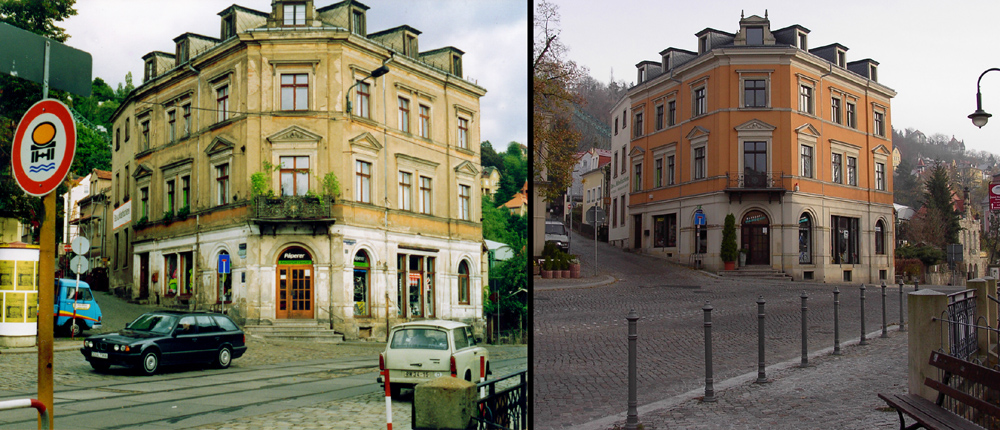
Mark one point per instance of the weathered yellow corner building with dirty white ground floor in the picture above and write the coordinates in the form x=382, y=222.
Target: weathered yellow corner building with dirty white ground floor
x=284, y=154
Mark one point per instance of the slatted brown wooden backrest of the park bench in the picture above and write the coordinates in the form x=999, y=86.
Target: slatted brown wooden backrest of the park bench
x=979, y=387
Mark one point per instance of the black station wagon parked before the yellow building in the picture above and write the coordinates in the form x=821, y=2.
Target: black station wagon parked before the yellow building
x=166, y=338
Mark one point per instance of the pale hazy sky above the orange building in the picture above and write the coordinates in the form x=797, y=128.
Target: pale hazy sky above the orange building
x=930, y=52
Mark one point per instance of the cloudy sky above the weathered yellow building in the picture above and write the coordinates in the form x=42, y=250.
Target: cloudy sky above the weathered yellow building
x=492, y=33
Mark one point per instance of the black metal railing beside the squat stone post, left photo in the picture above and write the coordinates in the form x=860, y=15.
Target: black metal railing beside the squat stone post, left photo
x=504, y=409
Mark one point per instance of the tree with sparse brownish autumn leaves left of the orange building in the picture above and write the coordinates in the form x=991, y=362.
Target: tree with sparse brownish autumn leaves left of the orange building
x=552, y=77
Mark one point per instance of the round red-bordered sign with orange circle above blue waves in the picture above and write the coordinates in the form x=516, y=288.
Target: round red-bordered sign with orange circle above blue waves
x=43, y=148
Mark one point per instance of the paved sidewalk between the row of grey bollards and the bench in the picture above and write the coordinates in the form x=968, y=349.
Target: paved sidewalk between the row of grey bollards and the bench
x=832, y=392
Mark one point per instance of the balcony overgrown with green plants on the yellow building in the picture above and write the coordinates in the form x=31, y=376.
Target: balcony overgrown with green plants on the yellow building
x=310, y=211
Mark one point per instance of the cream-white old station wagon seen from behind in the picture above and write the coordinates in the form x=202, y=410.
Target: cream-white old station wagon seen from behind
x=425, y=350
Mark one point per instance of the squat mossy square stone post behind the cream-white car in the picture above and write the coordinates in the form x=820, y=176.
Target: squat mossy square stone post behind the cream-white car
x=444, y=403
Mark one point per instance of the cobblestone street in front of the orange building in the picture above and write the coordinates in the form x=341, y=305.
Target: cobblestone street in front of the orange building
x=580, y=335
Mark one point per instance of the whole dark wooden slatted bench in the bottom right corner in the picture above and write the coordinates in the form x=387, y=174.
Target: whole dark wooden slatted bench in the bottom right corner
x=975, y=389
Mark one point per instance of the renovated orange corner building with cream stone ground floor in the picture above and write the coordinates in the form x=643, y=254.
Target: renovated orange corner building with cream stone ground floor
x=795, y=142
